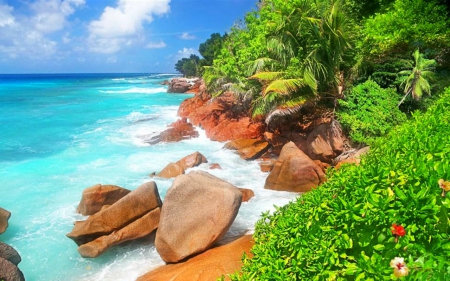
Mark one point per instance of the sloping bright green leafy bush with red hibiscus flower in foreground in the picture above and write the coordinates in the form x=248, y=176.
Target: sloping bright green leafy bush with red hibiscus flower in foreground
x=343, y=229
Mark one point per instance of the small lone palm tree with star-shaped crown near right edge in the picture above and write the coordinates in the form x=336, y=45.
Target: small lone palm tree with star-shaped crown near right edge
x=416, y=82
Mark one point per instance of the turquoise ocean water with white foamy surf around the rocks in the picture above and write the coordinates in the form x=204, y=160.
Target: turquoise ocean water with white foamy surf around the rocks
x=62, y=133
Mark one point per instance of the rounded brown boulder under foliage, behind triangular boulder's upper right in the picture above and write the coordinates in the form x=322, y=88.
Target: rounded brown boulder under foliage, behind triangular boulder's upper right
x=325, y=142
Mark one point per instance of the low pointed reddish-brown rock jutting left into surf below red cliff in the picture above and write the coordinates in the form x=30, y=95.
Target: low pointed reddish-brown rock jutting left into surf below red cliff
x=177, y=131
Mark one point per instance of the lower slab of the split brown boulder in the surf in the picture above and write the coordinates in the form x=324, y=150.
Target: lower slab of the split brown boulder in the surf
x=137, y=229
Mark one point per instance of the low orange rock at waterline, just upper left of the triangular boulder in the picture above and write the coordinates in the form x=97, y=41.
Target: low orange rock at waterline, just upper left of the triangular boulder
x=248, y=149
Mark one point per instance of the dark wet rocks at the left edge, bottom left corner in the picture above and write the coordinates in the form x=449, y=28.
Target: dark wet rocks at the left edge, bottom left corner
x=9, y=257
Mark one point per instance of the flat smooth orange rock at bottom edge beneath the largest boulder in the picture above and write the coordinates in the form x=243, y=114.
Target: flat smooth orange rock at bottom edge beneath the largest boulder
x=209, y=265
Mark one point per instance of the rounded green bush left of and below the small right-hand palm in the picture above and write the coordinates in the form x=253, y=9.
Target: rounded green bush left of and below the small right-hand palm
x=369, y=112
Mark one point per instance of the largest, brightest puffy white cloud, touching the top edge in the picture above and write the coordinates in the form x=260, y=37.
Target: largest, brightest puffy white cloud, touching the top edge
x=124, y=21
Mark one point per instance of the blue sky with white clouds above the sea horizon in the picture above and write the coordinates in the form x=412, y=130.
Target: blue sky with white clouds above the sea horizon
x=109, y=36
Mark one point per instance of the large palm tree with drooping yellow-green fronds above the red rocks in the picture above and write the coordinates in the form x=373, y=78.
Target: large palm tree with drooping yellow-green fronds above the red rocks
x=306, y=48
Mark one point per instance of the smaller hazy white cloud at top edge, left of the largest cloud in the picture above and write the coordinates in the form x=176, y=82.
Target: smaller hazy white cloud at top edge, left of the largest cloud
x=51, y=14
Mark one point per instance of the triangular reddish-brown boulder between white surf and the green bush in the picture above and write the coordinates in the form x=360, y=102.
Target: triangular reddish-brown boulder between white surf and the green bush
x=294, y=171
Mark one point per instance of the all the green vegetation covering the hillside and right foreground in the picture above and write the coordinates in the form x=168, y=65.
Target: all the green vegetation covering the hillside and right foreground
x=354, y=57
